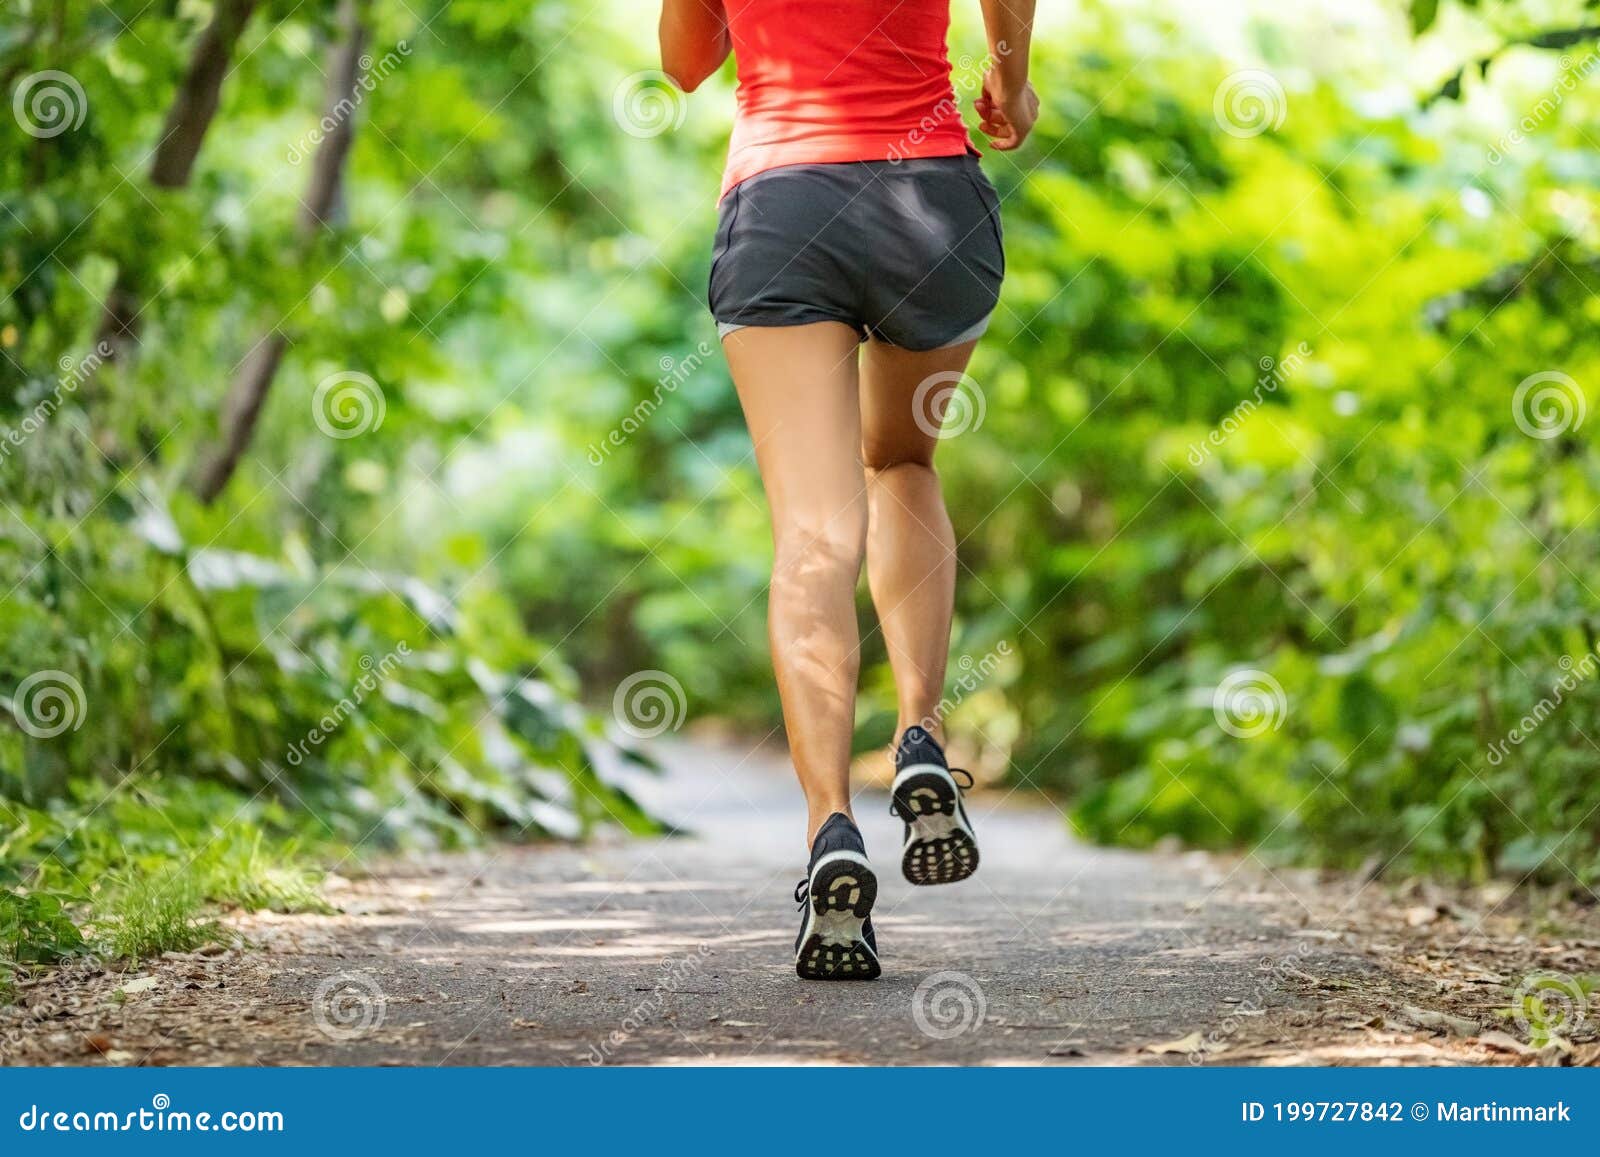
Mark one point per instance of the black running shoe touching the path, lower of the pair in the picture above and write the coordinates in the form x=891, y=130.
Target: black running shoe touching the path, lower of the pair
x=836, y=939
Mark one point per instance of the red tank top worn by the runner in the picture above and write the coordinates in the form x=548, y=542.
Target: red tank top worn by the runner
x=834, y=81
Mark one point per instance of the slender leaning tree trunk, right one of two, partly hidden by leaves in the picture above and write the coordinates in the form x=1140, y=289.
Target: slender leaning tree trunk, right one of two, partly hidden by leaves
x=319, y=209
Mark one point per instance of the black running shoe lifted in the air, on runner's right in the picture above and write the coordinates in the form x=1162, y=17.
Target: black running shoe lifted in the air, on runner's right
x=940, y=843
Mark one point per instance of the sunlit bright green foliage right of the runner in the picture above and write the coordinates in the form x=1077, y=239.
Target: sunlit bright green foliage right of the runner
x=1290, y=442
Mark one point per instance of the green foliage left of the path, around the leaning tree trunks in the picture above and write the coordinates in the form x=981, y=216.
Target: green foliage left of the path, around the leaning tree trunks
x=209, y=700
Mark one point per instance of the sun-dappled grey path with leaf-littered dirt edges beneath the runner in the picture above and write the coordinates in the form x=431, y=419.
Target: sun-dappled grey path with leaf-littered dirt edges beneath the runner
x=679, y=951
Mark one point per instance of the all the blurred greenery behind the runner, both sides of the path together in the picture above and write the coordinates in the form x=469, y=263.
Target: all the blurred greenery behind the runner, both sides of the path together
x=356, y=455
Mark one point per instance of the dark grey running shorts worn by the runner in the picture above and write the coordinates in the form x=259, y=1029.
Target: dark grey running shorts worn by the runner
x=906, y=252
